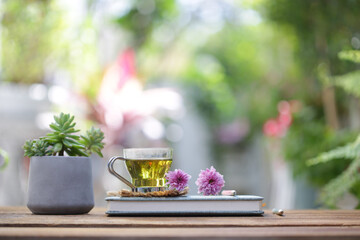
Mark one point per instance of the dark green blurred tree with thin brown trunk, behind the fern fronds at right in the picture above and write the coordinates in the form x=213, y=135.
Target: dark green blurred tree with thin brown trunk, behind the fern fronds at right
x=322, y=29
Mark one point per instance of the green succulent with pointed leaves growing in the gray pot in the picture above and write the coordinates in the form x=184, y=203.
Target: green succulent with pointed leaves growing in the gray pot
x=63, y=140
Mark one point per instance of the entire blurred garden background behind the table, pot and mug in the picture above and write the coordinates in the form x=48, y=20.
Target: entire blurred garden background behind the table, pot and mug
x=266, y=91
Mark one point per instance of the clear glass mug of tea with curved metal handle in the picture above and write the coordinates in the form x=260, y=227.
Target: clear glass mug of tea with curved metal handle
x=146, y=166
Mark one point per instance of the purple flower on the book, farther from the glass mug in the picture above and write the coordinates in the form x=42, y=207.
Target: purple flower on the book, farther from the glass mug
x=210, y=182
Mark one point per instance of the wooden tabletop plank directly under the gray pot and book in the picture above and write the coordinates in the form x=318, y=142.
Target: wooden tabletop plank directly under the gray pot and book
x=22, y=217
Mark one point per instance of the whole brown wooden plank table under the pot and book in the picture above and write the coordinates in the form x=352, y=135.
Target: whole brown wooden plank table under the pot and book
x=19, y=222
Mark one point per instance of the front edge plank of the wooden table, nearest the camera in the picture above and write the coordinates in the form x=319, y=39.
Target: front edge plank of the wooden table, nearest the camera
x=194, y=233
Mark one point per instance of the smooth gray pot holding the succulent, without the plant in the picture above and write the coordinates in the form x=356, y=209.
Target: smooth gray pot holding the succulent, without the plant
x=60, y=185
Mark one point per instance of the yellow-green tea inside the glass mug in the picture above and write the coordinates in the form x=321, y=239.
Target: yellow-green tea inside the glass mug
x=148, y=172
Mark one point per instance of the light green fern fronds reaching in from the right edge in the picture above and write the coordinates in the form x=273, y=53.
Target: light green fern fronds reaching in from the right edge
x=346, y=158
